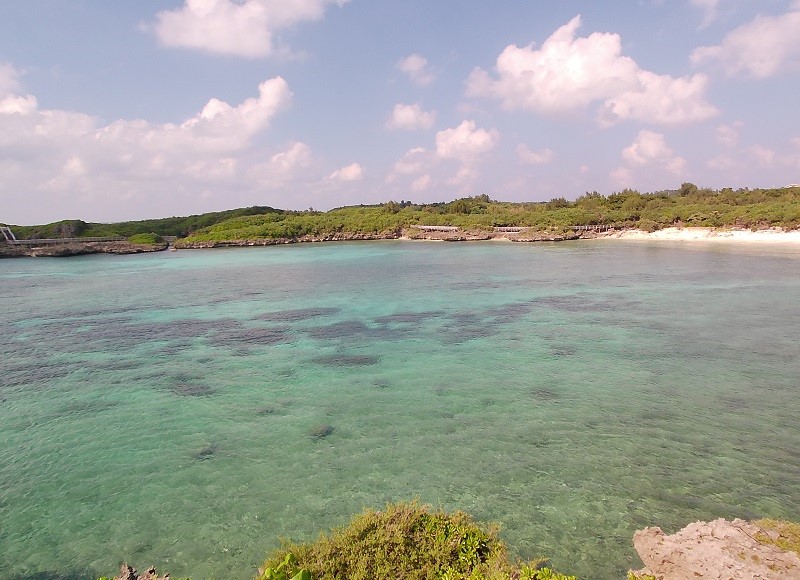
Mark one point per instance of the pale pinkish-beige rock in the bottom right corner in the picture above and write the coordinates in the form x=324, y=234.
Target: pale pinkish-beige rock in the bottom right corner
x=719, y=550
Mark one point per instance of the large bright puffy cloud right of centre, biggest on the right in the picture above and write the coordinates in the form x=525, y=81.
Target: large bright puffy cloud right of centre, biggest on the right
x=569, y=73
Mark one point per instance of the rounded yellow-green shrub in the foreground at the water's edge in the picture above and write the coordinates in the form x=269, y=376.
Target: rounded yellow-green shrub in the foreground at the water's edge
x=406, y=540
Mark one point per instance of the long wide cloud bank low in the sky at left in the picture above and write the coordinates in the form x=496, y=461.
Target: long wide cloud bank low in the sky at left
x=59, y=155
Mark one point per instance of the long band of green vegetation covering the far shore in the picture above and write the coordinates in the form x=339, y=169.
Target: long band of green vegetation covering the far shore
x=687, y=206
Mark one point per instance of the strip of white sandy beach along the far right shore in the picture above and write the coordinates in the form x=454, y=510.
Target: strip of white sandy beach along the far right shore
x=772, y=236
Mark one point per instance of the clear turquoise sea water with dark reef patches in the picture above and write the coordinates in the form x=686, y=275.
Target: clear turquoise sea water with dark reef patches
x=158, y=409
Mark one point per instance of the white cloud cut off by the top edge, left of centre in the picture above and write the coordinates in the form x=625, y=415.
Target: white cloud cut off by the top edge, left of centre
x=234, y=27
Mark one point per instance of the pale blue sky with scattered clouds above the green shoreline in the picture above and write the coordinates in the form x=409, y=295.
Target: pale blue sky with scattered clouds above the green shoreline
x=113, y=111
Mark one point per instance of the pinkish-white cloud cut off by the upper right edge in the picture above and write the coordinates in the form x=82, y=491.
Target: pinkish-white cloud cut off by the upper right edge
x=761, y=48
